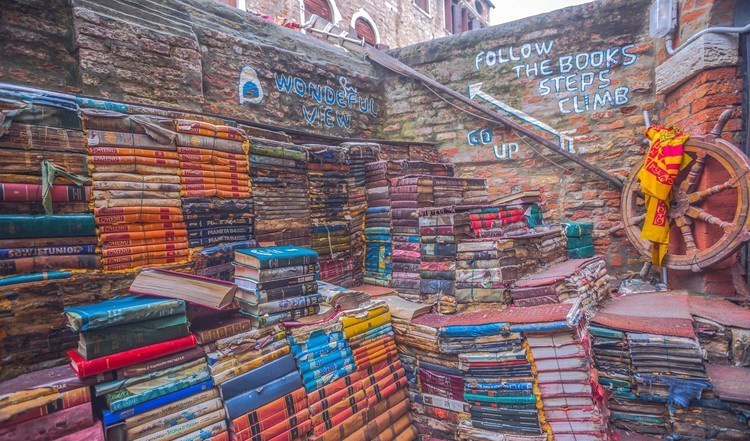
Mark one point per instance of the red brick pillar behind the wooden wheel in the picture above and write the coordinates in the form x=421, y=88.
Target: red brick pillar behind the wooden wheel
x=694, y=105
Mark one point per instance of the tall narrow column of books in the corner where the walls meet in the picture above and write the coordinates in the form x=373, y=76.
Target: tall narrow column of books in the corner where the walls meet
x=359, y=155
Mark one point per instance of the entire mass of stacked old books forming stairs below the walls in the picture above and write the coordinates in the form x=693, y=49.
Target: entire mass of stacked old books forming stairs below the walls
x=247, y=318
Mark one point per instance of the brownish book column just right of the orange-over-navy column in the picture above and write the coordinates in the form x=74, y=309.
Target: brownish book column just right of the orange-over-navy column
x=278, y=172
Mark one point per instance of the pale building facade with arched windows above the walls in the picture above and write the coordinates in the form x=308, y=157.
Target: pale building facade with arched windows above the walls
x=392, y=23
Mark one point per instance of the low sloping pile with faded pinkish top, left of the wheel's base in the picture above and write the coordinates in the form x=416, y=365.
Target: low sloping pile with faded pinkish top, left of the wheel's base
x=577, y=278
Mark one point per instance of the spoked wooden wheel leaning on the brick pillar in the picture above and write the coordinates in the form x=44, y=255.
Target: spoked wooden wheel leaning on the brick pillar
x=690, y=197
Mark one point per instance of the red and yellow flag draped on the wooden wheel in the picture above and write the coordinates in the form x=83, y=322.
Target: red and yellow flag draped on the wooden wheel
x=664, y=161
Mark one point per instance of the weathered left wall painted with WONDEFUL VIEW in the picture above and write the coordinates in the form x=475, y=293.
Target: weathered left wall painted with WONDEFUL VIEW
x=197, y=55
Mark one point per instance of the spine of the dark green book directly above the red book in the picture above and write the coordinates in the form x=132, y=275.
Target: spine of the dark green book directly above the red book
x=129, y=340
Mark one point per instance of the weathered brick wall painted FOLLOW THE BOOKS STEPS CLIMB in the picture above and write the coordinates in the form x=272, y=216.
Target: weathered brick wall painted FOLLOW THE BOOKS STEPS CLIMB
x=595, y=107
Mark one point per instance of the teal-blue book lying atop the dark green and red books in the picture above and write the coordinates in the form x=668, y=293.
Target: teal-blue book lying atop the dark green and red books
x=120, y=311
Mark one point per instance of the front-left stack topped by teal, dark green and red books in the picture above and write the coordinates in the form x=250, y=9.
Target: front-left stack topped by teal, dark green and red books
x=162, y=386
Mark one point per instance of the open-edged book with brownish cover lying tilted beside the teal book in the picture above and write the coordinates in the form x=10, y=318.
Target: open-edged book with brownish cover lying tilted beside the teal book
x=196, y=289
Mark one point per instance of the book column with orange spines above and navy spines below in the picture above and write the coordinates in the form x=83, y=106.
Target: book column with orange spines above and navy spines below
x=215, y=183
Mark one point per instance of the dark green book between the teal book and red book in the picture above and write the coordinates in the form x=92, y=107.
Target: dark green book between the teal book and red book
x=106, y=341
